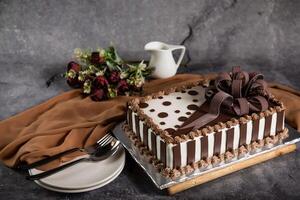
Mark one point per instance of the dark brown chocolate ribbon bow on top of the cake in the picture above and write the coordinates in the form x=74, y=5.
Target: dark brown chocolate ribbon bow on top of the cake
x=237, y=93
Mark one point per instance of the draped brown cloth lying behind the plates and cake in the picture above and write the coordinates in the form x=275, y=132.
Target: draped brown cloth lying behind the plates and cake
x=69, y=120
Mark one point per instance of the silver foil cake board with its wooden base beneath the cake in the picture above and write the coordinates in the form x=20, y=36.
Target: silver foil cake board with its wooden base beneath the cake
x=200, y=176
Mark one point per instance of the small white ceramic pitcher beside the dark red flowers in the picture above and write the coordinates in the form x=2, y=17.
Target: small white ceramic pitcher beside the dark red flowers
x=162, y=58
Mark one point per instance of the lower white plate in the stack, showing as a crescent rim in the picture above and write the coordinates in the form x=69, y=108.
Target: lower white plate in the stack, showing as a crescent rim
x=80, y=190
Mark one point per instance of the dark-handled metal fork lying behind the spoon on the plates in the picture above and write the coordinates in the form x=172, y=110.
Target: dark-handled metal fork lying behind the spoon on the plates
x=89, y=150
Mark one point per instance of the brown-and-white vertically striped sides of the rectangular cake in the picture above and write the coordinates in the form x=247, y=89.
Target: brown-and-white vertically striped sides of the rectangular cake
x=205, y=146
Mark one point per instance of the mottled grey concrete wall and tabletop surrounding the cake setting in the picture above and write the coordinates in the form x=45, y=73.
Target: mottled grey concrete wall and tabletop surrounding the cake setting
x=37, y=39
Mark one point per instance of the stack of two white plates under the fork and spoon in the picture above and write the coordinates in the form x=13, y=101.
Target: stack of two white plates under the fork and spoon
x=84, y=176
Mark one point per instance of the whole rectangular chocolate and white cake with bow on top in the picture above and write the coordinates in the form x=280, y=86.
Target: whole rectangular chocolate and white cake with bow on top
x=206, y=122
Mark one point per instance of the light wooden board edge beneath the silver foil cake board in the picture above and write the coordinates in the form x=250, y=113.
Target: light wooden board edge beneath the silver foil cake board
x=230, y=169
